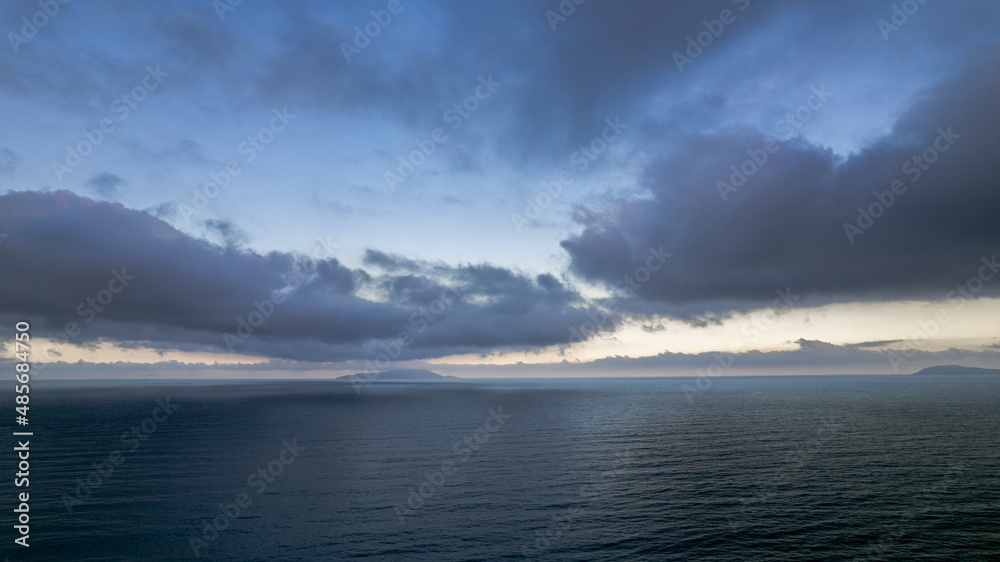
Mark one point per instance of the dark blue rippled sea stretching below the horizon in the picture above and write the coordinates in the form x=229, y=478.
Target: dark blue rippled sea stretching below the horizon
x=764, y=468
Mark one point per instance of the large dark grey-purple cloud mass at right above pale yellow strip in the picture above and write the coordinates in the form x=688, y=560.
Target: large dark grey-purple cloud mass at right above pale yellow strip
x=785, y=226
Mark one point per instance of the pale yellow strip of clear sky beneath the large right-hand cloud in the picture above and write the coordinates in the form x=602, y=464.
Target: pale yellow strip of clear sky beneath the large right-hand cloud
x=973, y=327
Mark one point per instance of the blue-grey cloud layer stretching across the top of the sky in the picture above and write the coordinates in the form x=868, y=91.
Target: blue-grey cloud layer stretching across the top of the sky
x=558, y=84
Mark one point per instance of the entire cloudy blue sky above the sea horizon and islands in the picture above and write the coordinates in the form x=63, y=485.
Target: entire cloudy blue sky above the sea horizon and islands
x=519, y=188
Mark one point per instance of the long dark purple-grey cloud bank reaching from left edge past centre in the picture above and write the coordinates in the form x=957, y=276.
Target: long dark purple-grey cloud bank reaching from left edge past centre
x=185, y=293
